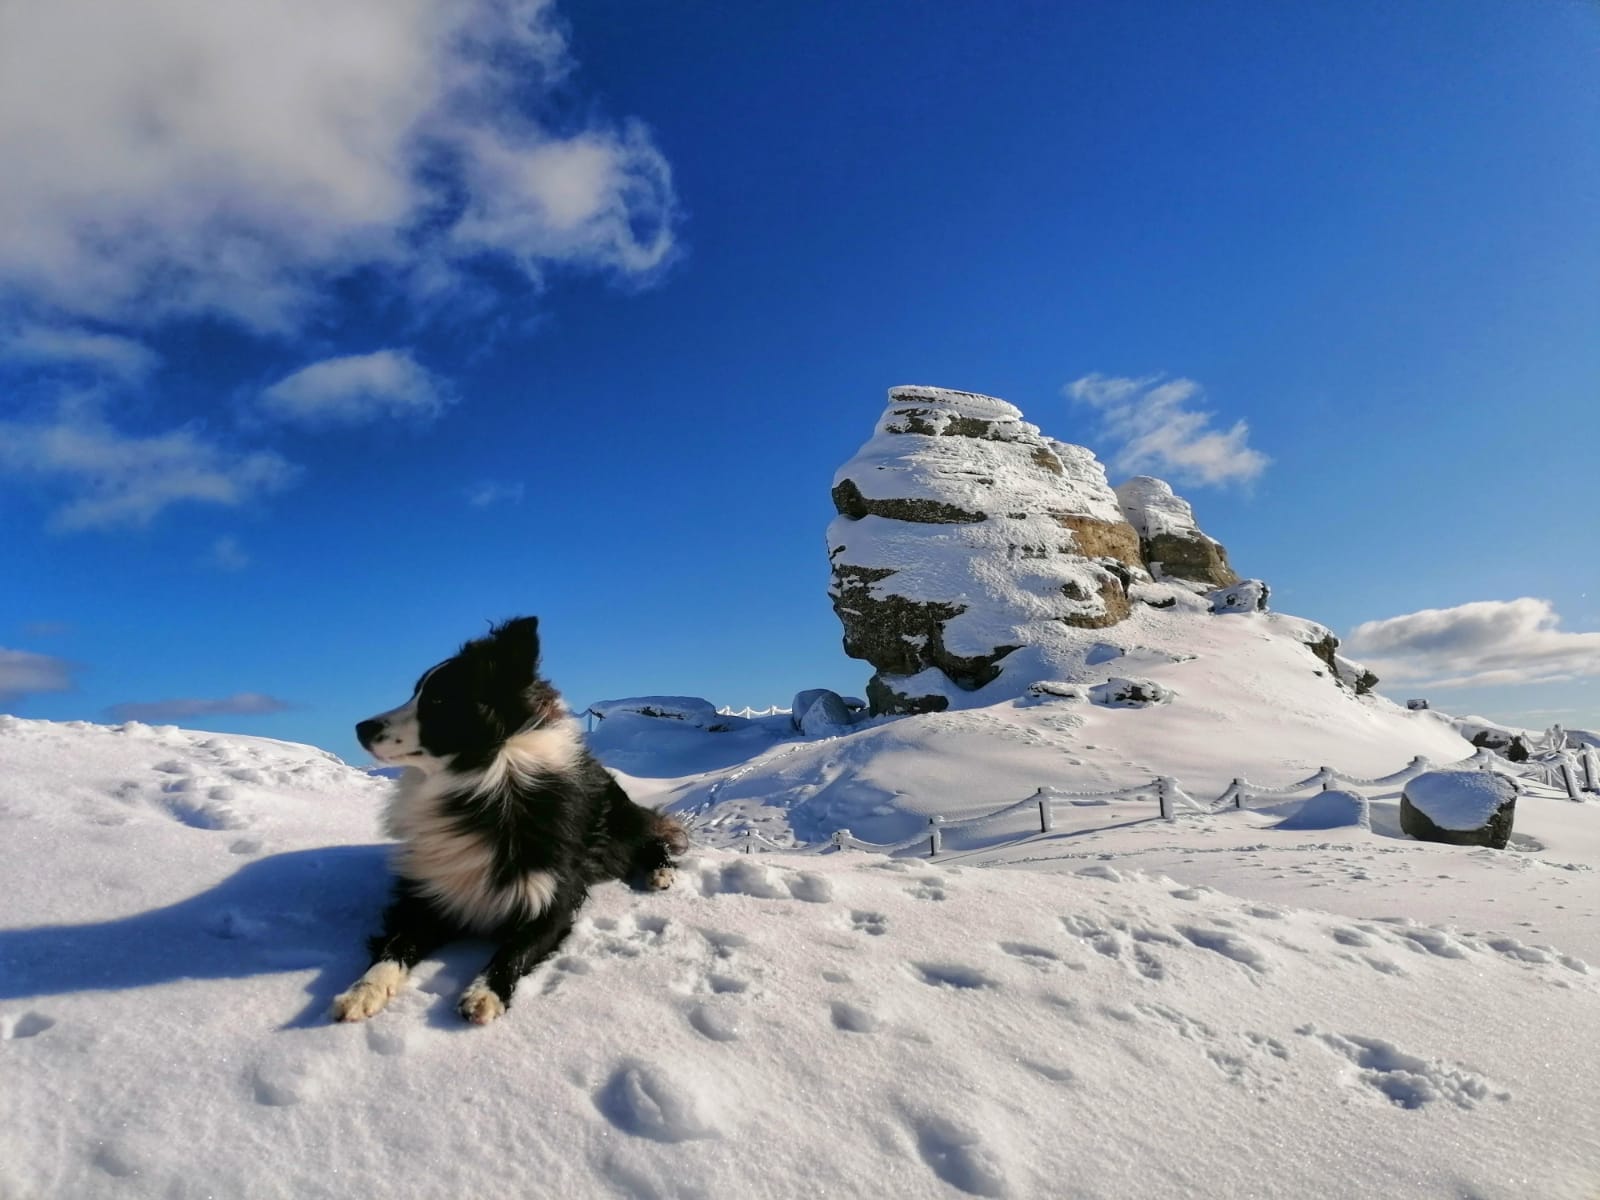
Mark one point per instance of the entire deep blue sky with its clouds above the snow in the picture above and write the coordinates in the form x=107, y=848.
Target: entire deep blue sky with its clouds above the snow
x=330, y=334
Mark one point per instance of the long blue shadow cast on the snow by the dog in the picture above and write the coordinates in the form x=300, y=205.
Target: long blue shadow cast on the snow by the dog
x=306, y=910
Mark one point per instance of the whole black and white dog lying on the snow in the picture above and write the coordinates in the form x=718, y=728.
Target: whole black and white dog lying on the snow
x=505, y=823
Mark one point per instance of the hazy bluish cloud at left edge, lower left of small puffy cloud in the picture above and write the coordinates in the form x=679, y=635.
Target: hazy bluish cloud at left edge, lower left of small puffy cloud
x=116, y=479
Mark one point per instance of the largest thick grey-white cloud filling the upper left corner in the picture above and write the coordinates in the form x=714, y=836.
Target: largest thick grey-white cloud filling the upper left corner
x=188, y=158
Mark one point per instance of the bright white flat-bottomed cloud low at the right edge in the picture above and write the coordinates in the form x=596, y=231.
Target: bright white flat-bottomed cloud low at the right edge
x=1481, y=644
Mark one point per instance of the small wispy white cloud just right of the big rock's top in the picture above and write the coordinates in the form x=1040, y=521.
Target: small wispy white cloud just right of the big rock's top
x=1161, y=433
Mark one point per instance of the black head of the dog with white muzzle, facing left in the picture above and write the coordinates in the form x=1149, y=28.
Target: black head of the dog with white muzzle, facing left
x=463, y=710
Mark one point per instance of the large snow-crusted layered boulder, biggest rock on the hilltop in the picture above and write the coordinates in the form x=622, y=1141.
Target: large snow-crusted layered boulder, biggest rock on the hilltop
x=966, y=535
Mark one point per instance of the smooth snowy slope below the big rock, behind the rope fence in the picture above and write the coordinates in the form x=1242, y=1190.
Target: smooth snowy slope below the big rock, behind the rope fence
x=1247, y=700
